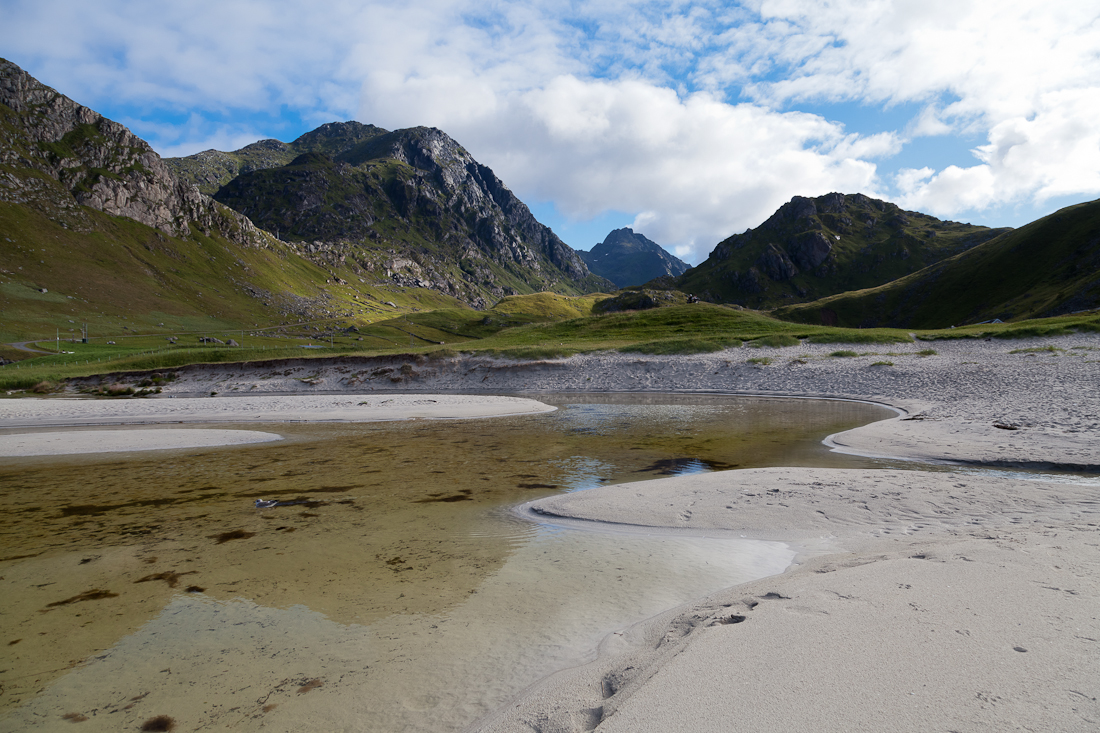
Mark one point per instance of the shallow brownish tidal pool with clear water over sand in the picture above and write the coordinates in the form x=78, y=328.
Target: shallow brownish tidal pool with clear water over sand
x=398, y=593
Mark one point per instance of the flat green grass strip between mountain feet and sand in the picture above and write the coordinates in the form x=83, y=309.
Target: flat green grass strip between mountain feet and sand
x=542, y=326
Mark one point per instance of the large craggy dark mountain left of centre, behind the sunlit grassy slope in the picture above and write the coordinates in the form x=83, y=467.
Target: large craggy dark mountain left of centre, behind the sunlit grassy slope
x=411, y=206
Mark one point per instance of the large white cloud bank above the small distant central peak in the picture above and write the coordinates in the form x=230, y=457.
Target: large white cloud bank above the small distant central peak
x=697, y=169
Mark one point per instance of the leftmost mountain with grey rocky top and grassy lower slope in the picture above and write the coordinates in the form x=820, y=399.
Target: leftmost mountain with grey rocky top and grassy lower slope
x=95, y=228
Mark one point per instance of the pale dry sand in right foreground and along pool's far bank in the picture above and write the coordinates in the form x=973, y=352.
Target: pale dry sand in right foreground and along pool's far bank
x=959, y=600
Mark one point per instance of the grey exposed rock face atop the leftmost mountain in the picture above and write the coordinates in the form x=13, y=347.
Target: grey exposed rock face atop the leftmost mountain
x=100, y=163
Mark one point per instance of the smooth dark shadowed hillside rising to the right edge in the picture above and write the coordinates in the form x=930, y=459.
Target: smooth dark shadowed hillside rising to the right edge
x=1048, y=268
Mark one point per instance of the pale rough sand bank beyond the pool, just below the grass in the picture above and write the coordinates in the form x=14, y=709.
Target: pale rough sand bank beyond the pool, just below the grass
x=947, y=389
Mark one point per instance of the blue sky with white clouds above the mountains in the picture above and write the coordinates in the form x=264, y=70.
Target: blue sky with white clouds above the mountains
x=688, y=122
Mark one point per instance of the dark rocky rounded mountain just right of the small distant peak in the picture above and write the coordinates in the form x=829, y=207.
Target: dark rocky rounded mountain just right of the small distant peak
x=812, y=248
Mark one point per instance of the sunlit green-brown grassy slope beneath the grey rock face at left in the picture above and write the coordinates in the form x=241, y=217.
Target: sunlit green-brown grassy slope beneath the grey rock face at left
x=125, y=279
